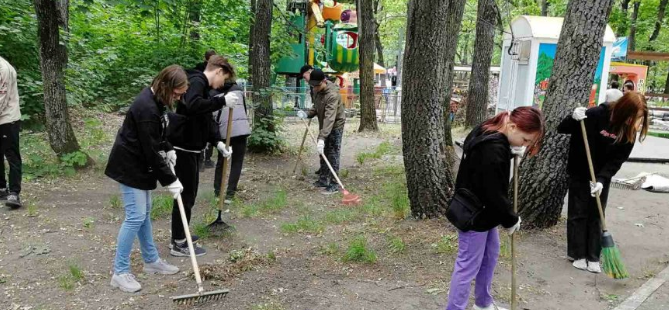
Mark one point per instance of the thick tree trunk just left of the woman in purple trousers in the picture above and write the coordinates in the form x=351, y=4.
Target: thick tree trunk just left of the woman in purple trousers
x=429, y=179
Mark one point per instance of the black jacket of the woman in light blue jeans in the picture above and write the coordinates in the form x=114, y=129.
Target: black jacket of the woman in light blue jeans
x=135, y=160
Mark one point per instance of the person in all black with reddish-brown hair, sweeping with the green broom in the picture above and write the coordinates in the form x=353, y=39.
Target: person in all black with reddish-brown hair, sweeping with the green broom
x=611, y=129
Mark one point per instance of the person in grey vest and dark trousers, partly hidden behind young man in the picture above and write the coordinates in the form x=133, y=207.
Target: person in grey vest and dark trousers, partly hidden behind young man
x=241, y=129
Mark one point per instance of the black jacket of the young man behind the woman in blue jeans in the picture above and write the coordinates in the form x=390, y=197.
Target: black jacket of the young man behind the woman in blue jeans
x=198, y=128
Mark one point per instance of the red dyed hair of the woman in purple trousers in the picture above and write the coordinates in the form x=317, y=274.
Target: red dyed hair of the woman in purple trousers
x=528, y=119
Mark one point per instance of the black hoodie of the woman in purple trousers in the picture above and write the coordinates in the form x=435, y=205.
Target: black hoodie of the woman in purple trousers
x=485, y=171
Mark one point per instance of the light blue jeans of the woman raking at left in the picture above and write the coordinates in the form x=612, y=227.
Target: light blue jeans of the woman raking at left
x=137, y=223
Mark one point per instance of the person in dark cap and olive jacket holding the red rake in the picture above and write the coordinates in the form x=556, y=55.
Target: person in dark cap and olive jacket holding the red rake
x=329, y=109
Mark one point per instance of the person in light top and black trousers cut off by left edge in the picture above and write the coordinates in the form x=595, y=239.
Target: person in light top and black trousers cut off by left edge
x=10, y=125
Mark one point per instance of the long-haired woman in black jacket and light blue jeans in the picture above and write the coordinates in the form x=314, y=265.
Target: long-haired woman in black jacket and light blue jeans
x=139, y=158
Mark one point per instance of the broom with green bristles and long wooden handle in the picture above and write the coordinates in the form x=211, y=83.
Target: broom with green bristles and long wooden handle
x=612, y=263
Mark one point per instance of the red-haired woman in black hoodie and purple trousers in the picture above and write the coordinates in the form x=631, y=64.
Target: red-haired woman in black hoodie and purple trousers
x=484, y=172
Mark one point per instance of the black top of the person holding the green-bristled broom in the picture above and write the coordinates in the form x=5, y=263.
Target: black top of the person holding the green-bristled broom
x=607, y=156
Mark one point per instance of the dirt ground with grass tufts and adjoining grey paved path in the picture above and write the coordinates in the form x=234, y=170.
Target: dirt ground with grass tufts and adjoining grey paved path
x=286, y=249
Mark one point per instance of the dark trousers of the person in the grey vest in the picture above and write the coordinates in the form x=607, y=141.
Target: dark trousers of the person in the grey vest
x=236, y=161
